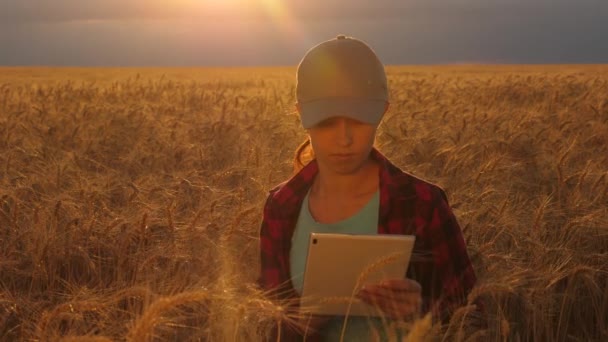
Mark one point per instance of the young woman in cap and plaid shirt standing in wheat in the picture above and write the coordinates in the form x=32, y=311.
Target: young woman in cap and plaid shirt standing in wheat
x=350, y=187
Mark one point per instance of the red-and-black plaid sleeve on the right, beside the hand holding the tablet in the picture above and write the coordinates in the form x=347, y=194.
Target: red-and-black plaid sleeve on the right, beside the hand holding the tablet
x=450, y=258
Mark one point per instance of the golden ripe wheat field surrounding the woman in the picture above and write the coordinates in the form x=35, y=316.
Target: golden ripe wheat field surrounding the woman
x=130, y=199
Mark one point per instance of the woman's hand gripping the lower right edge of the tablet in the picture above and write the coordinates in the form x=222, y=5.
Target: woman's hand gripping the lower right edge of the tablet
x=398, y=299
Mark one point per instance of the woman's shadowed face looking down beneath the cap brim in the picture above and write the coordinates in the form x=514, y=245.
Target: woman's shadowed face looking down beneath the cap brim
x=342, y=144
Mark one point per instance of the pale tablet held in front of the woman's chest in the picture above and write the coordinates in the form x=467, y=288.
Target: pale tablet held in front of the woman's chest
x=338, y=265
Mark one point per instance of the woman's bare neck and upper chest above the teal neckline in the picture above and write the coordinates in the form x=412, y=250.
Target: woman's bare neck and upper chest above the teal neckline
x=336, y=185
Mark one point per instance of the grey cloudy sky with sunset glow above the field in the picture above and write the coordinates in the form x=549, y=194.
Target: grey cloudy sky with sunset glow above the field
x=279, y=32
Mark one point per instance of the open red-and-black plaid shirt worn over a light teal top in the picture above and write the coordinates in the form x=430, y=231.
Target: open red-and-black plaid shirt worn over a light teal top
x=408, y=205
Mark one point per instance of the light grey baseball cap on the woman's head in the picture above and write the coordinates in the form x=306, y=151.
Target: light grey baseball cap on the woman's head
x=341, y=77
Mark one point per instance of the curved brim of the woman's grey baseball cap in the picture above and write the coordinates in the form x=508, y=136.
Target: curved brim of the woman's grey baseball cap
x=368, y=111
